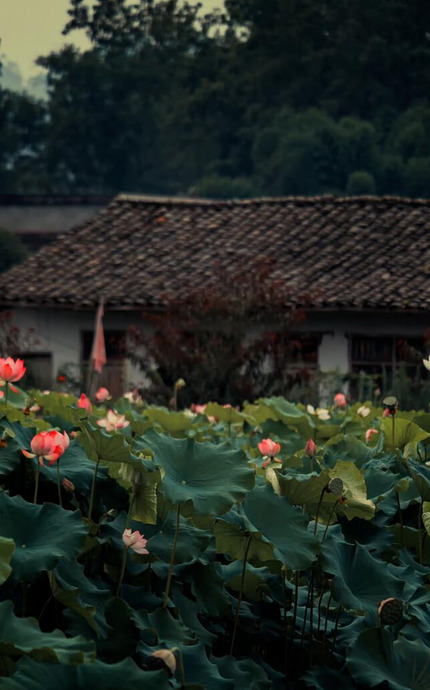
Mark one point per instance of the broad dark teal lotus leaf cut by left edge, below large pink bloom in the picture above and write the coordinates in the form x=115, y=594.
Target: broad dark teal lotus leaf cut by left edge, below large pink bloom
x=42, y=534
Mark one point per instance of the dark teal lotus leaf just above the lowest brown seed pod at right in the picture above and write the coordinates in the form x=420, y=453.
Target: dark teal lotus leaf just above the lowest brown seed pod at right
x=360, y=581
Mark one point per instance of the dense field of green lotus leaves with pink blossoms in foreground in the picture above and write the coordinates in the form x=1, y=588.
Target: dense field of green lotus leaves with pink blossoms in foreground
x=263, y=563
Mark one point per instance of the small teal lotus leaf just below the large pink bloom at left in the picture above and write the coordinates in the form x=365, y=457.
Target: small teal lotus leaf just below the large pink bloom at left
x=75, y=466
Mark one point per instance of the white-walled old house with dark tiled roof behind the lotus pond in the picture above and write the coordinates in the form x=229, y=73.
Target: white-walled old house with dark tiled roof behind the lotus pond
x=365, y=261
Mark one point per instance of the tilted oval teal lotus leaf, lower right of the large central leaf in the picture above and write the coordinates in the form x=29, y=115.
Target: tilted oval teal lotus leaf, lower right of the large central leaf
x=283, y=525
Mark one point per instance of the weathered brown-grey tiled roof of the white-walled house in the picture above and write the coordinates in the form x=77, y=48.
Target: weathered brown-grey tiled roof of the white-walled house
x=348, y=253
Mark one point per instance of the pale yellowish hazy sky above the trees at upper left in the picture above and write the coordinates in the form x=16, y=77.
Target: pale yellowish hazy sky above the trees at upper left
x=29, y=28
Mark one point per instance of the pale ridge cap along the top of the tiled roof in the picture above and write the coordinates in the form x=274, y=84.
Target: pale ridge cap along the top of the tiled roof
x=328, y=198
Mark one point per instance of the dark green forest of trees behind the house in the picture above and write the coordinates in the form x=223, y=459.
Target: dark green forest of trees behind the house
x=267, y=97
